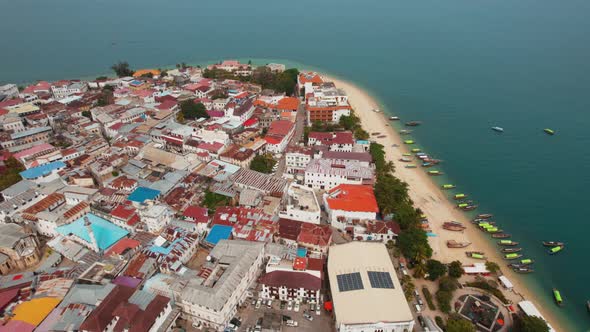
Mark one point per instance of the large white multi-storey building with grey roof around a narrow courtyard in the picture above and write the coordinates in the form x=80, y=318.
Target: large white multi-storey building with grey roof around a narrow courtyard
x=212, y=296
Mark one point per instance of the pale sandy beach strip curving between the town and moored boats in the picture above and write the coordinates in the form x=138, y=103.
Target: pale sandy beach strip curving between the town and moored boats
x=433, y=201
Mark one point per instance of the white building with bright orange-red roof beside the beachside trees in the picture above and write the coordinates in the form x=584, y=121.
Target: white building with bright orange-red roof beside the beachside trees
x=349, y=204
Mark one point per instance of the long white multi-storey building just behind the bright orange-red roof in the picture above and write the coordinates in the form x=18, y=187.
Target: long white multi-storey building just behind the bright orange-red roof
x=326, y=174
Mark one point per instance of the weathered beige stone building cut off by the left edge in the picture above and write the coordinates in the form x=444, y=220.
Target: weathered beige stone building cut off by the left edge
x=18, y=249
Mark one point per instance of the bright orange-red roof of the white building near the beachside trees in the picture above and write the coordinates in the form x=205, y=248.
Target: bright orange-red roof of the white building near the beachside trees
x=348, y=197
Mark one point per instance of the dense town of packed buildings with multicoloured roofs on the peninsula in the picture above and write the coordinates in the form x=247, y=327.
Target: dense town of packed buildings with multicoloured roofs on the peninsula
x=219, y=198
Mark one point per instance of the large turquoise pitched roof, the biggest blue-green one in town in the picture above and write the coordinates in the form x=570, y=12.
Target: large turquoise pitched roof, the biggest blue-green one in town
x=105, y=233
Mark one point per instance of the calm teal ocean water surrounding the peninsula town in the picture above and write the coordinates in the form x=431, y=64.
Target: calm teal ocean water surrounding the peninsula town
x=459, y=66
